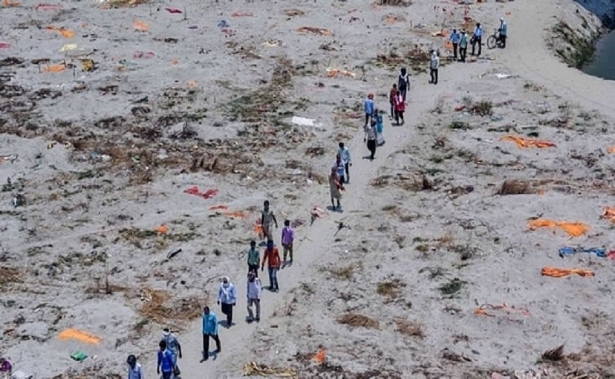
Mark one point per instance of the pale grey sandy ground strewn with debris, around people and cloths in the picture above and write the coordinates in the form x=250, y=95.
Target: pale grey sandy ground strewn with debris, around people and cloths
x=429, y=239
